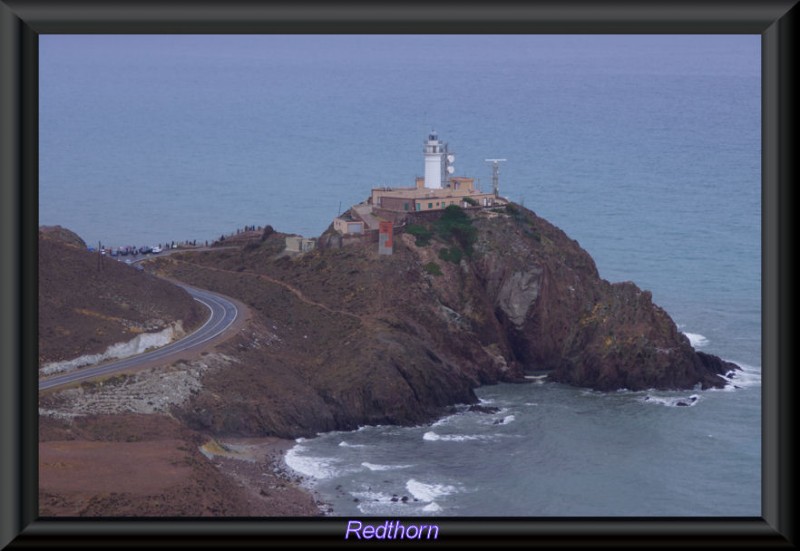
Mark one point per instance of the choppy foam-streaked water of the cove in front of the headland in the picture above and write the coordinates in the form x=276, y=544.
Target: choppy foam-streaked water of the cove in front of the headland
x=550, y=451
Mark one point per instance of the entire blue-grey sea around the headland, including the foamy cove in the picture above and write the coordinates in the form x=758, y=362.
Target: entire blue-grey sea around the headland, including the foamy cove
x=646, y=149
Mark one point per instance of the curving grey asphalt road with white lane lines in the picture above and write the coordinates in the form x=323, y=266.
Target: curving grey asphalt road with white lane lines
x=223, y=314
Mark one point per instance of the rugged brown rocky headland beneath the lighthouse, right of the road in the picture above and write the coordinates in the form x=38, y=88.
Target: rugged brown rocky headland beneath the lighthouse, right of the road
x=344, y=337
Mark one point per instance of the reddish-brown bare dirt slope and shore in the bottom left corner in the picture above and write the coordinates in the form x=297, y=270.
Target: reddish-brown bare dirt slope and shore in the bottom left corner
x=150, y=465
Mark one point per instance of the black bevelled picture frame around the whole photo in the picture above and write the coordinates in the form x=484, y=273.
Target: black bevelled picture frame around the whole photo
x=22, y=21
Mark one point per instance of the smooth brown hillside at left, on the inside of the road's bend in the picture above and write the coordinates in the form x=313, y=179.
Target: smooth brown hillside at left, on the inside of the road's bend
x=86, y=305
